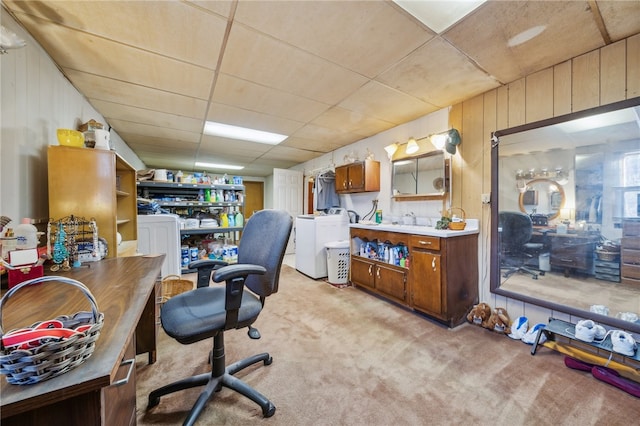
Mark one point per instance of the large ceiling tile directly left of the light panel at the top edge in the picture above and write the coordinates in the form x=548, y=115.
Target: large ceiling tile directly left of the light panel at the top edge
x=363, y=36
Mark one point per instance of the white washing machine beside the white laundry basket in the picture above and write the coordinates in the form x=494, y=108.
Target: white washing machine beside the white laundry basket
x=312, y=233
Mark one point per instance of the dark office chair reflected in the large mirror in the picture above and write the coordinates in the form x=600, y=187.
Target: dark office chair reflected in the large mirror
x=516, y=248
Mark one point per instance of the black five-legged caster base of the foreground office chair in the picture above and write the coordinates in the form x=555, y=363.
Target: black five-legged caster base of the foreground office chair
x=219, y=377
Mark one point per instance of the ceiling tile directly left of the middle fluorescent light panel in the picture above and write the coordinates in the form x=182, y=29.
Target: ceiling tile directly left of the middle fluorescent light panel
x=112, y=111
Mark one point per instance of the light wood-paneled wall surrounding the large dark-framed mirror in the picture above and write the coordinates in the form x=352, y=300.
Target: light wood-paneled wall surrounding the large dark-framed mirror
x=600, y=77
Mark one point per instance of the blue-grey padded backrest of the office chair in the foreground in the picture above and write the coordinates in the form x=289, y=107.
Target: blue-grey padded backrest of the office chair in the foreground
x=264, y=242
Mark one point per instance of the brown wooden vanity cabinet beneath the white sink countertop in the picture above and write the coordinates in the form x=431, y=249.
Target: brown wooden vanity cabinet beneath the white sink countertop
x=439, y=275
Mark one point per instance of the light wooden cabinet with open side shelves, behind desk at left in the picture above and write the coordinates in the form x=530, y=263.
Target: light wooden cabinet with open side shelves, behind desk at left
x=95, y=183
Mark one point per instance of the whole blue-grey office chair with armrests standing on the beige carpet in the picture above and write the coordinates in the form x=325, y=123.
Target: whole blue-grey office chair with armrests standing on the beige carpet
x=208, y=311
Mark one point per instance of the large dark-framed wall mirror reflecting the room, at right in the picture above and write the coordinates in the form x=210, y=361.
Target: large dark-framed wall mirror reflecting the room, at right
x=577, y=178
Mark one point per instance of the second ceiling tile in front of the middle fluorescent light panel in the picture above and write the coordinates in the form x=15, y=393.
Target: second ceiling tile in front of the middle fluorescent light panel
x=267, y=100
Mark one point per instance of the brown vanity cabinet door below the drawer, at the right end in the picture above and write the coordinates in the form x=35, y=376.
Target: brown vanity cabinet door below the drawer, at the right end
x=426, y=284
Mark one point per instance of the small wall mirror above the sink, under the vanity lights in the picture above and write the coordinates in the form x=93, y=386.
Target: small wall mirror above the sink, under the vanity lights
x=423, y=177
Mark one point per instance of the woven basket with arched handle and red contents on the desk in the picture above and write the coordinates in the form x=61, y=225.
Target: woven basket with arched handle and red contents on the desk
x=49, y=348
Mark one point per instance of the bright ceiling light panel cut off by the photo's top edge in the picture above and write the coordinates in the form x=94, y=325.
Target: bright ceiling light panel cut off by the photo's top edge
x=439, y=14
